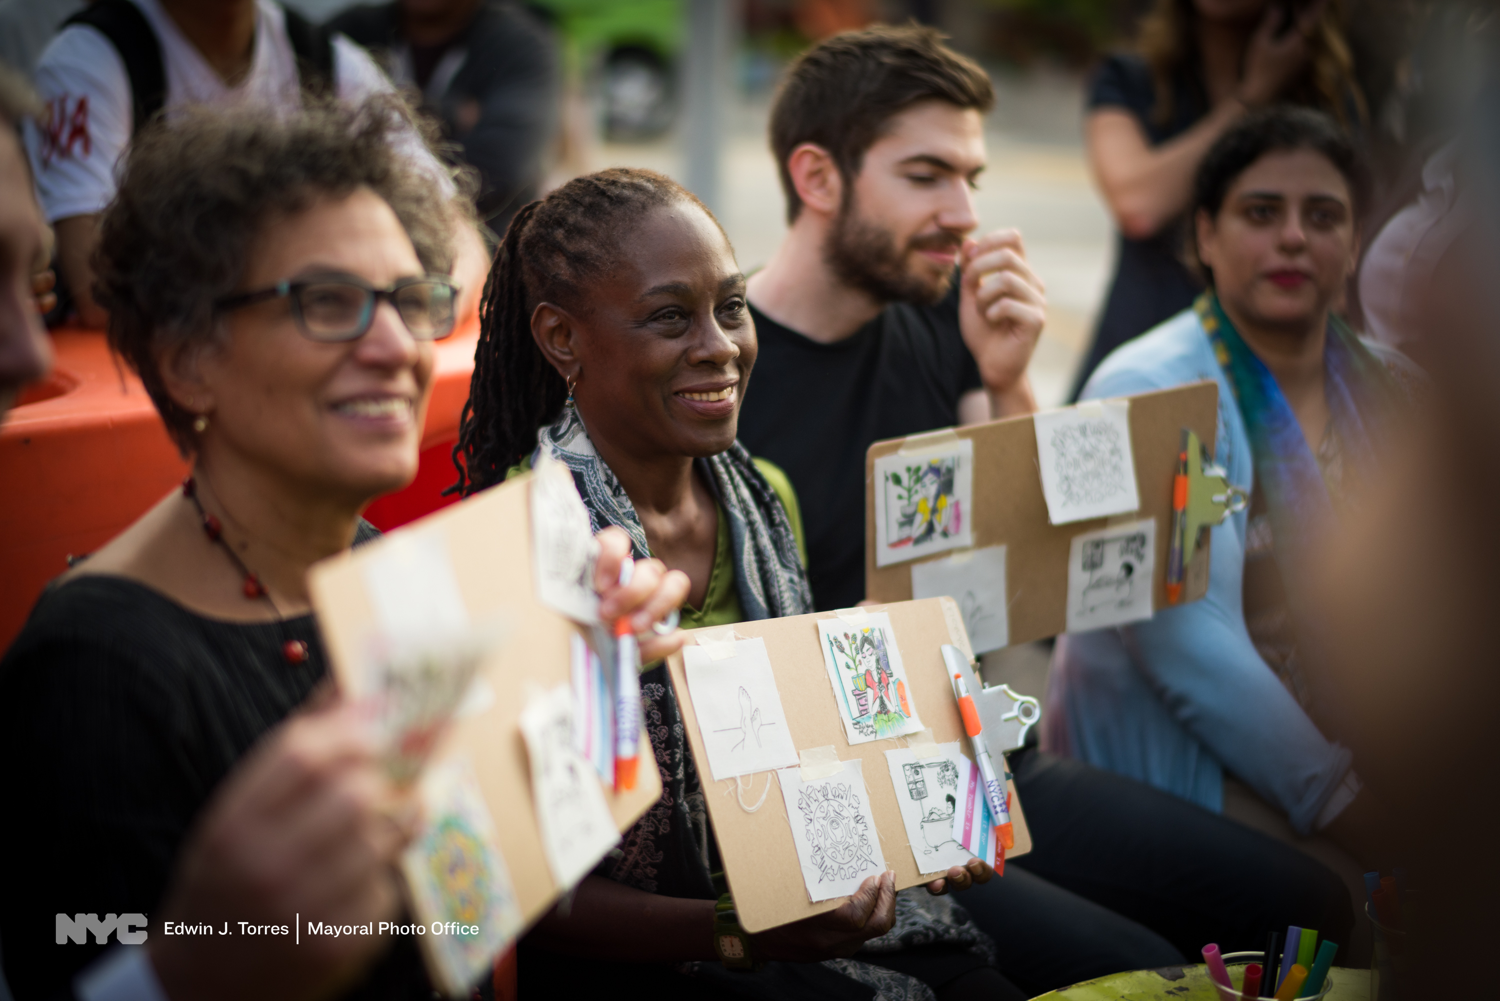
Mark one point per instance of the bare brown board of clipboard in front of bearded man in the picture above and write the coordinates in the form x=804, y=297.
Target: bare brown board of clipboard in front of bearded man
x=1010, y=510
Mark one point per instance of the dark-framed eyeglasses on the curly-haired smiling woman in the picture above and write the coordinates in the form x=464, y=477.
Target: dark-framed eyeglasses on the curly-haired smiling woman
x=344, y=308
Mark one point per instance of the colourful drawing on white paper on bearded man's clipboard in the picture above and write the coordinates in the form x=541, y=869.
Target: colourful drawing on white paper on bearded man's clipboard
x=923, y=502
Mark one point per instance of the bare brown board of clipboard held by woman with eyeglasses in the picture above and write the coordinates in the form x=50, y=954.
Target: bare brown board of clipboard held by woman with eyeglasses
x=488, y=543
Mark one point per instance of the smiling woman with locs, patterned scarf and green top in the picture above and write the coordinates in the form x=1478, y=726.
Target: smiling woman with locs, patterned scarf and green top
x=616, y=338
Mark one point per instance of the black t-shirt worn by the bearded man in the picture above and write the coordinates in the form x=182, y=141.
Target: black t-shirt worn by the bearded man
x=815, y=410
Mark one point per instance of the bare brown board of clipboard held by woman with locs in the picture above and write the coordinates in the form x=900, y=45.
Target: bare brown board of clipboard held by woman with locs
x=760, y=856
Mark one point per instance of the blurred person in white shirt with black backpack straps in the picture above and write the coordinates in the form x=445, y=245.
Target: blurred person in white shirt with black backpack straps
x=124, y=61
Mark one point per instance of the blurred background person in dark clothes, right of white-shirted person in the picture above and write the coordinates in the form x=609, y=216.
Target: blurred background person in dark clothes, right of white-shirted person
x=487, y=71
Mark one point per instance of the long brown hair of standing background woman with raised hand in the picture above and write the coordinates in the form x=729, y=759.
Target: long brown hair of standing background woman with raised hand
x=1168, y=44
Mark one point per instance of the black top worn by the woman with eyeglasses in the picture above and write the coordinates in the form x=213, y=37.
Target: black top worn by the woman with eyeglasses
x=121, y=714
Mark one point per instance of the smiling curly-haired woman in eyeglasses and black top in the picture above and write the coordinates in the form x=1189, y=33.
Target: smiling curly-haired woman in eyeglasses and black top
x=278, y=286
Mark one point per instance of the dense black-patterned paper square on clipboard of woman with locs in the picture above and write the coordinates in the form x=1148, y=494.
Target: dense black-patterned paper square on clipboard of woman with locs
x=833, y=831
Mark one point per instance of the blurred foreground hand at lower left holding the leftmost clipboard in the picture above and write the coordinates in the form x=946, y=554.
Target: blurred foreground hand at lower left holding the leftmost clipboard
x=307, y=825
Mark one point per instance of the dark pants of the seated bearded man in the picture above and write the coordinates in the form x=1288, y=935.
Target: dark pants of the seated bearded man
x=1127, y=877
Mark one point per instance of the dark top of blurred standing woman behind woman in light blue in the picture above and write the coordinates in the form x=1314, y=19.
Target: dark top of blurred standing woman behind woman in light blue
x=1151, y=281
